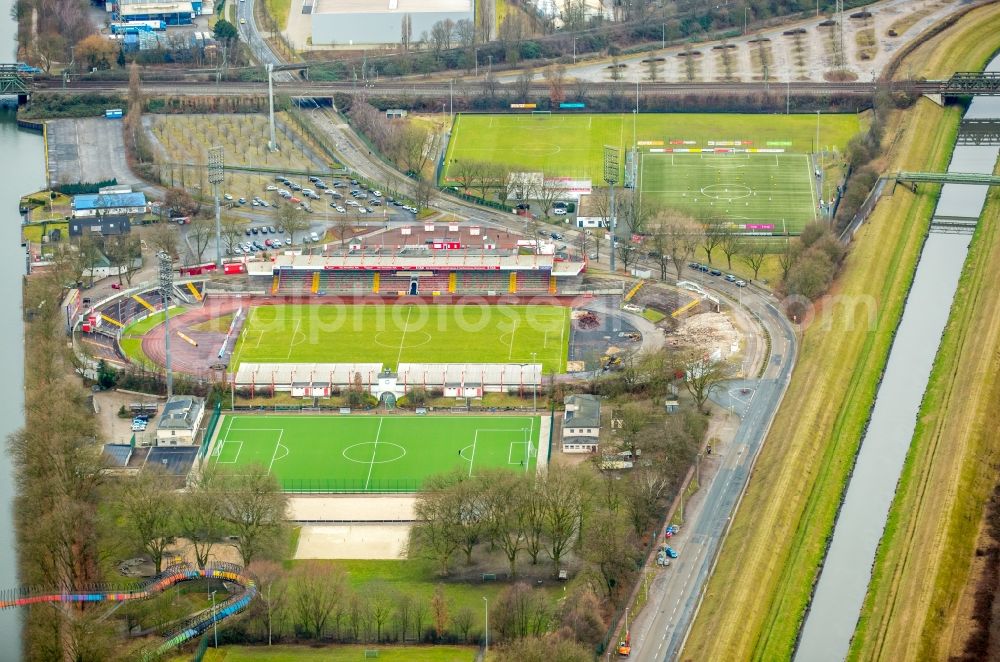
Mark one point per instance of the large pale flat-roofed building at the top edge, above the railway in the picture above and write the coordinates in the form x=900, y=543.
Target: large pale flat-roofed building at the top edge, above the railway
x=363, y=22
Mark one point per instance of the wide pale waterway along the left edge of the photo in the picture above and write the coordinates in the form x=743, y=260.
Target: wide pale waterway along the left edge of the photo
x=22, y=170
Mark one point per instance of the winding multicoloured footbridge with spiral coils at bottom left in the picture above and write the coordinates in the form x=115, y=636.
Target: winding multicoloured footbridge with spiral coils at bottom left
x=179, y=634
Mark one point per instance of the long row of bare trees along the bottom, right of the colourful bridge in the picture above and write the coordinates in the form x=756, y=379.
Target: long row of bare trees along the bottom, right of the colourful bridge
x=315, y=601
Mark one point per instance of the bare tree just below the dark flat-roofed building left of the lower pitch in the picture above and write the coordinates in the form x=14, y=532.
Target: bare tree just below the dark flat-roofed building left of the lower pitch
x=149, y=509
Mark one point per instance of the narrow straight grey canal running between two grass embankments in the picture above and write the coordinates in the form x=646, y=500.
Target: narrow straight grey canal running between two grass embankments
x=843, y=583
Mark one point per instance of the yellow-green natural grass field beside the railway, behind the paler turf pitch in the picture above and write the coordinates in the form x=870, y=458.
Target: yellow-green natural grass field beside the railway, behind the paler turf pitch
x=573, y=145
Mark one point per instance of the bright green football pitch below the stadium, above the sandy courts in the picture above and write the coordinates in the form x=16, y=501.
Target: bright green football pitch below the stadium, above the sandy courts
x=374, y=453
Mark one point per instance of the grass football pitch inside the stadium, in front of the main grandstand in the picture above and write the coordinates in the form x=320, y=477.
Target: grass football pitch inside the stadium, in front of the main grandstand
x=410, y=333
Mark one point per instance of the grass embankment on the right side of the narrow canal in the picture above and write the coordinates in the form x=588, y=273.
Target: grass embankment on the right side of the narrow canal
x=911, y=610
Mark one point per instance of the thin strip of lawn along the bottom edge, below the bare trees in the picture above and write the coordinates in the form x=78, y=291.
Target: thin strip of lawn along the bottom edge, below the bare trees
x=340, y=653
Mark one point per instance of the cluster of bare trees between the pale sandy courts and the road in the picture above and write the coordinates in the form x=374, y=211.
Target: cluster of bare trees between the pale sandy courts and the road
x=562, y=513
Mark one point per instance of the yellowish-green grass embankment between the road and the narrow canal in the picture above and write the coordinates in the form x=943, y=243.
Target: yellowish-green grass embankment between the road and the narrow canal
x=758, y=593
